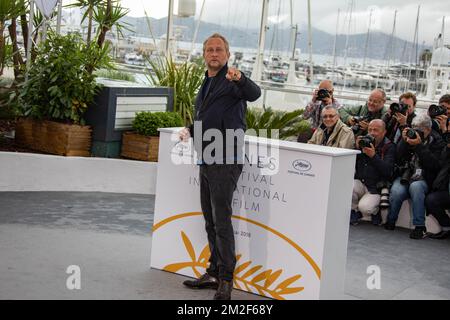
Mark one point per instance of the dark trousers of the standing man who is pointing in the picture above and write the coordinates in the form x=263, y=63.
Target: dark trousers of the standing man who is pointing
x=217, y=185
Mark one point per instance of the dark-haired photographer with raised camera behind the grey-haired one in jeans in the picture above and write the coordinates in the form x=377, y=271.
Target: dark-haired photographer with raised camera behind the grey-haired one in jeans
x=399, y=116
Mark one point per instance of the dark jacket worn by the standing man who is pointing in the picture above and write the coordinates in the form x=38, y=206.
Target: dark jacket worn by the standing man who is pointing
x=222, y=107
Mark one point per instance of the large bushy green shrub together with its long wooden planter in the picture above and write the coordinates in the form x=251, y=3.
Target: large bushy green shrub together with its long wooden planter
x=60, y=86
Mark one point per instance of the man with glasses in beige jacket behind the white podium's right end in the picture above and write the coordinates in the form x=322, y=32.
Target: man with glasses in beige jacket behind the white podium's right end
x=333, y=132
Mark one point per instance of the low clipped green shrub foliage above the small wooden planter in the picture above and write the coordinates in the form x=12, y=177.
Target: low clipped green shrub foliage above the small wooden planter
x=147, y=123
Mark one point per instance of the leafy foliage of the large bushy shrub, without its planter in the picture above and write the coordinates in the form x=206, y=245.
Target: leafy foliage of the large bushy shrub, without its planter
x=60, y=85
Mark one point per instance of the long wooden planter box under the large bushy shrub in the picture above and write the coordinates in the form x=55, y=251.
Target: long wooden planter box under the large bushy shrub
x=54, y=137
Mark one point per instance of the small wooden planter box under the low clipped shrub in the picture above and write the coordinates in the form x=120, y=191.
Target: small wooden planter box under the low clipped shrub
x=138, y=147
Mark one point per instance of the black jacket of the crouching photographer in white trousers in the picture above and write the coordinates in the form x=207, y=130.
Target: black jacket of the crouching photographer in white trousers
x=379, y=168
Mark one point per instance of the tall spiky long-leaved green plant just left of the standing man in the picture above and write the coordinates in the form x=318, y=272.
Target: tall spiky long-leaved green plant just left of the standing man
x=185, y=79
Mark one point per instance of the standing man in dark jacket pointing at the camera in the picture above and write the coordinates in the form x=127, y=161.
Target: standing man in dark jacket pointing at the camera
x=220, y=109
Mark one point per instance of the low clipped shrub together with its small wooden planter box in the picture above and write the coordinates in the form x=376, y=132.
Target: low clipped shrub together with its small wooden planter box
x=143, y=144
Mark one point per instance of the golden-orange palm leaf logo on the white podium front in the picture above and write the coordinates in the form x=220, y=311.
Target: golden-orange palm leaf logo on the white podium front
x=246, y=276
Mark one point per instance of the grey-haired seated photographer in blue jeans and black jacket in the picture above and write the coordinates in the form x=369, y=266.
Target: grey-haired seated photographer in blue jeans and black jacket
x=418, y=156
